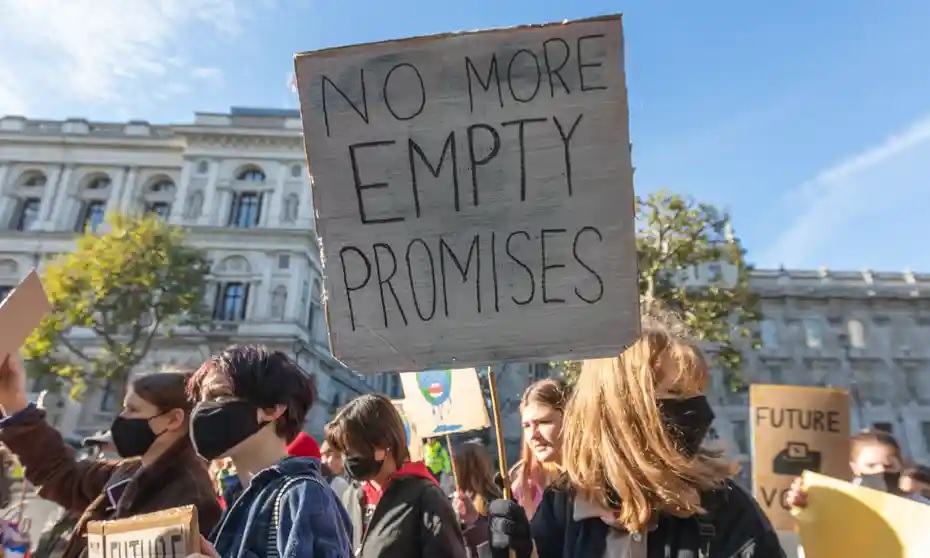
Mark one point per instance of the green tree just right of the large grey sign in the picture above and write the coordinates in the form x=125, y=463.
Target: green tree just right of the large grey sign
x=676, y=236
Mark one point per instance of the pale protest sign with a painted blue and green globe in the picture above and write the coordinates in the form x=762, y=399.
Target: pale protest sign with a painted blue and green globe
x=441, y=402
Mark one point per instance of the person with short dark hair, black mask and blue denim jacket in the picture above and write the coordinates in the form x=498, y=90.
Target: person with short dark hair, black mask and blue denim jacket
x=251, y=401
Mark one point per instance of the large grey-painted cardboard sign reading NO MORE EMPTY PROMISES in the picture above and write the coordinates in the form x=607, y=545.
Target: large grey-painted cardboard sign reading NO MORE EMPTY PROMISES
x=474, y=195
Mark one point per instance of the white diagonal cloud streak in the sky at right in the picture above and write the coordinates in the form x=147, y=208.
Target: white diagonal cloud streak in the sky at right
x=867, y=187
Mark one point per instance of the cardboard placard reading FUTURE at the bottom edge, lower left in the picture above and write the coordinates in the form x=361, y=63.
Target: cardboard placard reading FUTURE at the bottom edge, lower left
x=170, y=533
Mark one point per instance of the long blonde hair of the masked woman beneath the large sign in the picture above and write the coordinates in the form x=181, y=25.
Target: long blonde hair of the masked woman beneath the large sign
x=614, y=438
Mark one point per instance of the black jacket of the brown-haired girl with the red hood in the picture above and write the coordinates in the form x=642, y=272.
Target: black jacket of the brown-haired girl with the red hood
x=413, y=519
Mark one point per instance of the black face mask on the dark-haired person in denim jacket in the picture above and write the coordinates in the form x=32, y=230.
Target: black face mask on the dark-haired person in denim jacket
x=219, y=426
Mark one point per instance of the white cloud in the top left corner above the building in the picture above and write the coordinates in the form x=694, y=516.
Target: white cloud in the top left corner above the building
x=98, y=51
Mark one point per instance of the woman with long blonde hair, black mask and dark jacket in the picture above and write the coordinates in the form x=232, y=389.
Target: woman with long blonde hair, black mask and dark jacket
x=637, y=481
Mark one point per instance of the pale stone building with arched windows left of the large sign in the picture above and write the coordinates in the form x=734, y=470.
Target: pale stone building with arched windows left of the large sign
x=239, y=181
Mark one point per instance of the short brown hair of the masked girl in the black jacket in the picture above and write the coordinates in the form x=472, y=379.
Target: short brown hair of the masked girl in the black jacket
x=366, y=423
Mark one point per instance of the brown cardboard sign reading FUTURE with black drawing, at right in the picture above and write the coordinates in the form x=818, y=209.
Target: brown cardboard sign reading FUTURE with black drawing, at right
x=795, y=429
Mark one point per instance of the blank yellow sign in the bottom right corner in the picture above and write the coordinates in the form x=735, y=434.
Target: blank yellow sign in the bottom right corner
x=843, y=520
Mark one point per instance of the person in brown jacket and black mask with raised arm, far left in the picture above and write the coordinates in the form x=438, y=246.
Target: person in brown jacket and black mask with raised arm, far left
x=159, y=471
